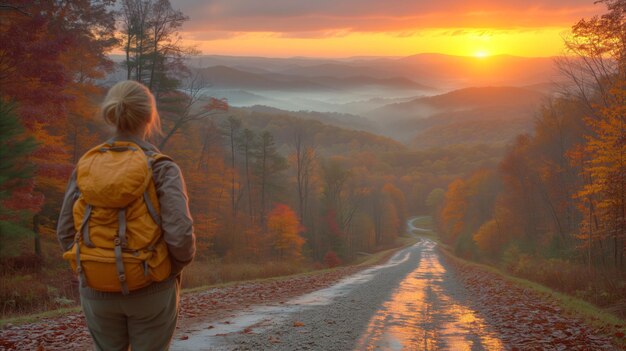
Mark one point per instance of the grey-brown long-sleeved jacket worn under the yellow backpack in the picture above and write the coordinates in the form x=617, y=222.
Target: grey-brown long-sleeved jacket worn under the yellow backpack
x=176, y=222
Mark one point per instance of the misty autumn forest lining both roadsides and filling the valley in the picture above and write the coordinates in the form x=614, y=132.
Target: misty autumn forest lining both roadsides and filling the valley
x=274, y=193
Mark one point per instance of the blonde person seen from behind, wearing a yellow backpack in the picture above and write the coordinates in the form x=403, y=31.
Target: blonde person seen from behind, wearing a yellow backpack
x=126, y=230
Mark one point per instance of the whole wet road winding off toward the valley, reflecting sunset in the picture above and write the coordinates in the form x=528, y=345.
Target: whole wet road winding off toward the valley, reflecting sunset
x=413, y=302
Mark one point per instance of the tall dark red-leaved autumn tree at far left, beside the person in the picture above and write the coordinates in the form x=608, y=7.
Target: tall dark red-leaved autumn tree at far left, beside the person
x=51, y=54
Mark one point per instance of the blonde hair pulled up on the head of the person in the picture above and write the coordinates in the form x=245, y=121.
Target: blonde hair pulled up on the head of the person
x=130, y=106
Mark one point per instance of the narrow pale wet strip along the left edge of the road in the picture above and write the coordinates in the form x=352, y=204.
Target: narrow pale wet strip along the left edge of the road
x=260, y=317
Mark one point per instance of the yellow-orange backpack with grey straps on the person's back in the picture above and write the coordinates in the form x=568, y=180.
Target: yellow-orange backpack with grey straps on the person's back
x=118, y=245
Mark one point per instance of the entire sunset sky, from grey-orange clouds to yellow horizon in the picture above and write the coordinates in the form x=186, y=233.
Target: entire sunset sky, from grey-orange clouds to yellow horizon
x=347, y=28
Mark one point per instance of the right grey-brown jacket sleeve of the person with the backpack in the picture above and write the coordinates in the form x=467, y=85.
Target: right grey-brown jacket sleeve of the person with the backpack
x=176, y=221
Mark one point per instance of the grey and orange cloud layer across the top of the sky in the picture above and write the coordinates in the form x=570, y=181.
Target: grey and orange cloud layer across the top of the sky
x=321, y=17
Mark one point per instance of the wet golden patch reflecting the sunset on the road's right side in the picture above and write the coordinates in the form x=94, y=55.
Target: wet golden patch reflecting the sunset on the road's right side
x=421, y=315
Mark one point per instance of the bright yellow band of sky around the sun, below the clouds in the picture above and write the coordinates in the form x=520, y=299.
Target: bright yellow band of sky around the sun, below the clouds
x=473, y=42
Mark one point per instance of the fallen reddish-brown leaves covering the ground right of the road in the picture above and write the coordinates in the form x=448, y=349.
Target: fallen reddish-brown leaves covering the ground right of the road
x=525, y=319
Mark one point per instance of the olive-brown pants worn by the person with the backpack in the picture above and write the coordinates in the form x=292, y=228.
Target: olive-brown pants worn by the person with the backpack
x=145, y=322
